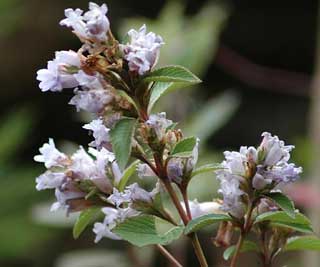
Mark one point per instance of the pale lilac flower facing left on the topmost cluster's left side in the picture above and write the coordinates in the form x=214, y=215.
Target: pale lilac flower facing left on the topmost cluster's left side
x=56, y=76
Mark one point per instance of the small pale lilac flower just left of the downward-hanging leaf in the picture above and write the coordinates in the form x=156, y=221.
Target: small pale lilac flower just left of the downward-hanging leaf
x=100, y=132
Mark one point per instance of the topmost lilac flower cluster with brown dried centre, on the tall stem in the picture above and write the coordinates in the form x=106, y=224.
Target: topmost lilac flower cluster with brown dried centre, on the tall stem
x=93, y=70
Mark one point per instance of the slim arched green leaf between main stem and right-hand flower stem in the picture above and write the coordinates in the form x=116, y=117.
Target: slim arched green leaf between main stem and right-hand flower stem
x=203, y=221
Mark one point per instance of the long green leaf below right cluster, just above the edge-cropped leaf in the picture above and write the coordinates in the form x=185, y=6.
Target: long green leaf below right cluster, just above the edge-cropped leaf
x=281, y=219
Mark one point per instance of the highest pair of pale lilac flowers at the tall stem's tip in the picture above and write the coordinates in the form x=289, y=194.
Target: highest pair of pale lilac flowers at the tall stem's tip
x=91, y=25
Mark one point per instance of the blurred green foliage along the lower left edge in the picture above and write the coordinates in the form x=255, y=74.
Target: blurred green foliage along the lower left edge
x=17, y=189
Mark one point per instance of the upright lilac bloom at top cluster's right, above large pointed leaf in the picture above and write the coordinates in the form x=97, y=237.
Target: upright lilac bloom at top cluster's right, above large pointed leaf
x=143, y=50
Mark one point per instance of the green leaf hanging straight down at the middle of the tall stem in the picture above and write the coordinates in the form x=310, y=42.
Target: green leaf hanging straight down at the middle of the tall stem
x=121, y=139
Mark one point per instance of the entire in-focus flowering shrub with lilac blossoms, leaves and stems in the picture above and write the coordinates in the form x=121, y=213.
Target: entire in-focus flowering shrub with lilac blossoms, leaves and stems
x=116, y=81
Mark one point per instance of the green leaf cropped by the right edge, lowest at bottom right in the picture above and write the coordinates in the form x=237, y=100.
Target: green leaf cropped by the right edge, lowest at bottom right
x=302, y=243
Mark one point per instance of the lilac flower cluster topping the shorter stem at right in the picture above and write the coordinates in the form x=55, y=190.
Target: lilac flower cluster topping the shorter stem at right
x=262, y=168
